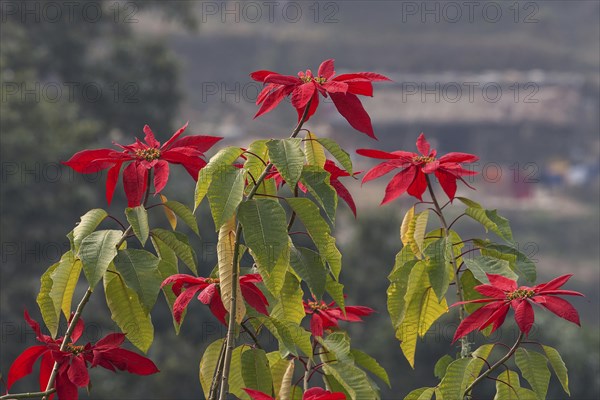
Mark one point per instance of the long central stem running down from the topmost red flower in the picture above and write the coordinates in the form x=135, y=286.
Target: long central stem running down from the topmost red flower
x=230, y=338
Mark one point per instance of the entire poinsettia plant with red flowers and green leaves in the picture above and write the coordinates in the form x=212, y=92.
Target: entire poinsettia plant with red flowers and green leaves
x=267, y=279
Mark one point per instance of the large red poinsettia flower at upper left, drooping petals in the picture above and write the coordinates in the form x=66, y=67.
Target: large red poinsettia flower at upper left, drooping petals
x=149, y=154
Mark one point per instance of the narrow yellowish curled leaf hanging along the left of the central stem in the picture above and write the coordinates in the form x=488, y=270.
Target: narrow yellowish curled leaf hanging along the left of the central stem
x=225, y=253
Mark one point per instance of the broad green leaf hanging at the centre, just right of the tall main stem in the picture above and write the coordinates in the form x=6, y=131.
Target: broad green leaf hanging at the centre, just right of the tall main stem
x=265, y=230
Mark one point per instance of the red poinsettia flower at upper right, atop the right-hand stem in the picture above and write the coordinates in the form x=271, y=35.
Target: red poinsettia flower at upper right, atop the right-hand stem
x=412, y=178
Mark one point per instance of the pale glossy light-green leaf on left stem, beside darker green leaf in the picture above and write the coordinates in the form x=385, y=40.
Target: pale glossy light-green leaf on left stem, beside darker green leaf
x=96, y=252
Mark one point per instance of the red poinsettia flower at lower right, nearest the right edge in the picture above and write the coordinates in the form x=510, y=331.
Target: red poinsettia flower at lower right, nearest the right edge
x=504, y=294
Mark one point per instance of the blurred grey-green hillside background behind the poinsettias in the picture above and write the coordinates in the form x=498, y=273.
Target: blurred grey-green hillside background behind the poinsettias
x=516, y=83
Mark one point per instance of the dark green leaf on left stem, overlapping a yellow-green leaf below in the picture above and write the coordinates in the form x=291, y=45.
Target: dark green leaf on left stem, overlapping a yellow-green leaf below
x=139, y=269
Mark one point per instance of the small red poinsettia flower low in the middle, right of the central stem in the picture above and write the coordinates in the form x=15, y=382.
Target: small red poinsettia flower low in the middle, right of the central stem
x=325, y=316
